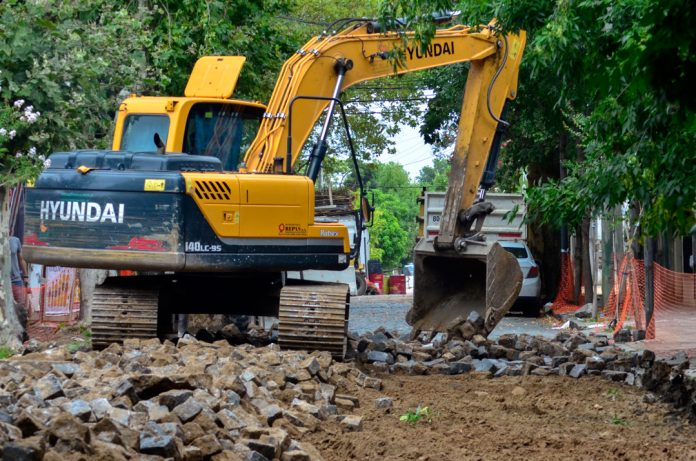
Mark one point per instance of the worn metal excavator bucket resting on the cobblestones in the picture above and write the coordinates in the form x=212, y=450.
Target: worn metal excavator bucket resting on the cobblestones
x=449, y=286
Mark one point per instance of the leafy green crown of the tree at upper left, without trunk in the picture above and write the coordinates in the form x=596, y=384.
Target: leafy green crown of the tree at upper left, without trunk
x=71, y=62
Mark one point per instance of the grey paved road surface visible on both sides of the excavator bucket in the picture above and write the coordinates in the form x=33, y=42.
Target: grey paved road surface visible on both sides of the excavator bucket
x=368, y=313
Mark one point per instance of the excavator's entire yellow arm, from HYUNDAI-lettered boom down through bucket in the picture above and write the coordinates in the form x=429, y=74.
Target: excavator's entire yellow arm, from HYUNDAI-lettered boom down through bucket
x=463, y=285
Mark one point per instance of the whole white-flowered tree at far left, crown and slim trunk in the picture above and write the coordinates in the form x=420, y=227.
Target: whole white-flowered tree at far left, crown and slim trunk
x=62, y=72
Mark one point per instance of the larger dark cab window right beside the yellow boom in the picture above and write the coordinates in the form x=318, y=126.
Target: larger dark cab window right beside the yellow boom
x=219, y=130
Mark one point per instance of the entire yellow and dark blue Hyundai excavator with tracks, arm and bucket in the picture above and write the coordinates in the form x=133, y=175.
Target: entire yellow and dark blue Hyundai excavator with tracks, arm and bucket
x=201, y=197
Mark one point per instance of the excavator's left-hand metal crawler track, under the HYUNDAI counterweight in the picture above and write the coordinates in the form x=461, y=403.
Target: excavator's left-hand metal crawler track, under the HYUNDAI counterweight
x=122, y=312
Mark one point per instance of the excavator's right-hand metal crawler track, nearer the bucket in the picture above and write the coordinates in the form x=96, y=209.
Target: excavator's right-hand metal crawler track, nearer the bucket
x=314, y=317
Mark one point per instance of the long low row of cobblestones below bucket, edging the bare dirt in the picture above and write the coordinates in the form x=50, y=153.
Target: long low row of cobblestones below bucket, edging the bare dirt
x=571, y=353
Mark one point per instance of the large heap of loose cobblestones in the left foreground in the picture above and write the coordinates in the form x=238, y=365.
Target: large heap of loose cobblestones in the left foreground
x=192, y=401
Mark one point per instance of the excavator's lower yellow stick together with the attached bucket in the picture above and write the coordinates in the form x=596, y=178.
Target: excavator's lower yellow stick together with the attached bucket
x=464, y=285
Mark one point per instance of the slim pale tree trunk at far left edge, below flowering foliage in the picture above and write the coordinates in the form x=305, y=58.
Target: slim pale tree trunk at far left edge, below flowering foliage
x=10, y=328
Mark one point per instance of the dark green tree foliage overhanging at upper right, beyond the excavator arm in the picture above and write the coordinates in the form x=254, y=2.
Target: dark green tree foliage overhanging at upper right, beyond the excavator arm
x=605, y=84
